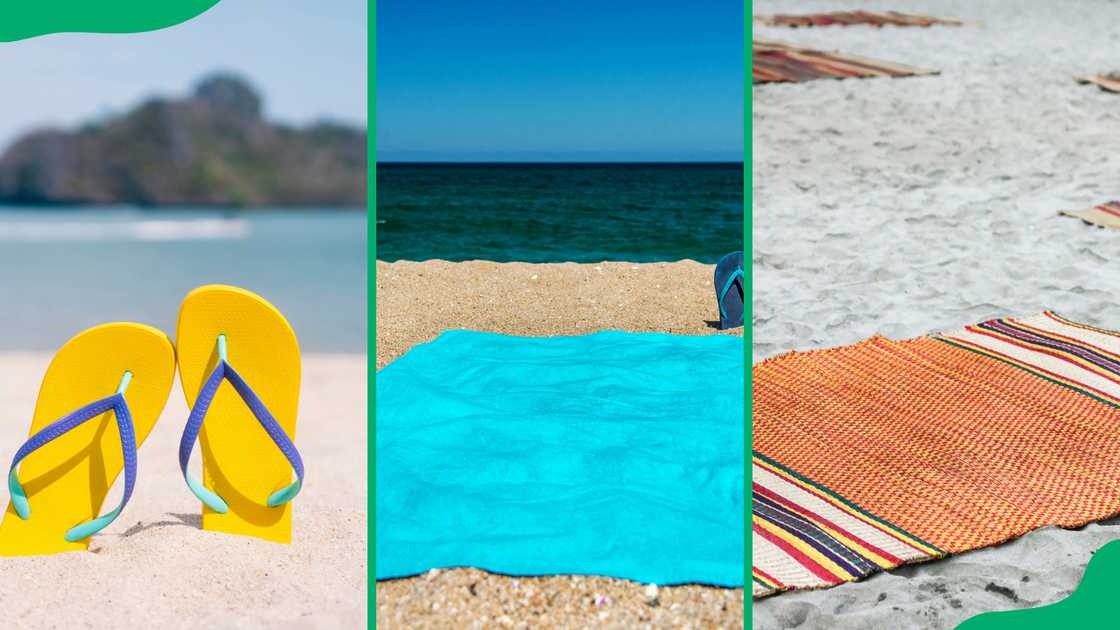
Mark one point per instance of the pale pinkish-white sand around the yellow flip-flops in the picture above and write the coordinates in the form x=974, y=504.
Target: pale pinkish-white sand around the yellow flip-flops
x=156, y=569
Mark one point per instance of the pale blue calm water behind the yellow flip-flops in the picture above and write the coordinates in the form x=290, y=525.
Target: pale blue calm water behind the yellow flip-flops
x=66, y=270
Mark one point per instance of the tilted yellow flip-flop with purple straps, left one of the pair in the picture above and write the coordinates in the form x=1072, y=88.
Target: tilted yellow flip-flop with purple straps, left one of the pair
x=100, y=399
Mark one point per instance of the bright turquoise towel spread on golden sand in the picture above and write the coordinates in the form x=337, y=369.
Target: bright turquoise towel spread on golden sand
x=618, y=455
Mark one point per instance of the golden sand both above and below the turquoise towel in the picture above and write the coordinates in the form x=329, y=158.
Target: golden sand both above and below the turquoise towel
x=417, y=301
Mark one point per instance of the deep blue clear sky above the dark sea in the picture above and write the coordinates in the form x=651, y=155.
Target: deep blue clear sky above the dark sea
x=581, y=80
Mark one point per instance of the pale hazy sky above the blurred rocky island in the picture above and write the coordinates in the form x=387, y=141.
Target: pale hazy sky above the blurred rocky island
x=309, y=59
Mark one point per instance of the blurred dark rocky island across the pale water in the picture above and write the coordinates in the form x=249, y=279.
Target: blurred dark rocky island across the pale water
x=213, y=149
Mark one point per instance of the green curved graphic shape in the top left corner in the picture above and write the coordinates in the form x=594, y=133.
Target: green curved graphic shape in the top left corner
x=21, y=20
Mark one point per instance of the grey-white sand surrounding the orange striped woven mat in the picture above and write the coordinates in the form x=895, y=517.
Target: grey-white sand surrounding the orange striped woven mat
x=902, y=207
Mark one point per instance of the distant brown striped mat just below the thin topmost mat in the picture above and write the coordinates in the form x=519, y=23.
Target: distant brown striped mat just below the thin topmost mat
x=778, y=62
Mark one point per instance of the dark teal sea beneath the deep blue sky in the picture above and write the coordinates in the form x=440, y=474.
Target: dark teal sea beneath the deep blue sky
x=559, y=212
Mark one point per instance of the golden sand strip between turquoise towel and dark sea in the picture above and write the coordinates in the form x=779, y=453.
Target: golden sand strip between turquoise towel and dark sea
x=418, y=301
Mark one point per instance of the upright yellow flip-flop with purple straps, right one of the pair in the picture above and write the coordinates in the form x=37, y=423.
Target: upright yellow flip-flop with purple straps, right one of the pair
x=239, y=364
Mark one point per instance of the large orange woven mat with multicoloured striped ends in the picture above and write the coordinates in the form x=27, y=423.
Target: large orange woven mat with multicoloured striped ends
x=886, y=452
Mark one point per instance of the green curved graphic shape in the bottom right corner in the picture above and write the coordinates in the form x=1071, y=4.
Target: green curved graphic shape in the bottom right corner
x=1088, y=607
